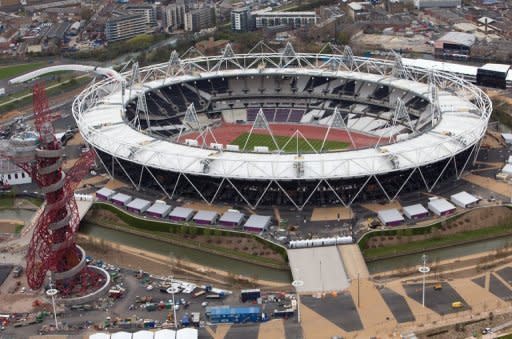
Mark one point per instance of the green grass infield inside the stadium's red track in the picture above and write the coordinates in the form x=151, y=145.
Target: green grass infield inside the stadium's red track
x=290, y=147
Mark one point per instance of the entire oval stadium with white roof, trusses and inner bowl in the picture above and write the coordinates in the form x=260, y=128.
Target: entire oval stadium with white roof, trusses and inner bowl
x=283, y=128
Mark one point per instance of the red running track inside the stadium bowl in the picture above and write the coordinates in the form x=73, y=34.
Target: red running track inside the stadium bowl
x=226, y=133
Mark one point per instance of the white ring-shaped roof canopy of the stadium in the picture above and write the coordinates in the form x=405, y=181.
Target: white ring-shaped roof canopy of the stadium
x=103, y=125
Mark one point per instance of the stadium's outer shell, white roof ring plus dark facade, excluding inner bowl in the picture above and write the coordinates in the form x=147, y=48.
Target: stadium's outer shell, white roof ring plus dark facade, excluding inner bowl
x=444, y=141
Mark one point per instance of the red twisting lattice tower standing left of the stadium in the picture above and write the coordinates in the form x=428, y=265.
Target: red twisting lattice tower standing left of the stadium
x=52, y=247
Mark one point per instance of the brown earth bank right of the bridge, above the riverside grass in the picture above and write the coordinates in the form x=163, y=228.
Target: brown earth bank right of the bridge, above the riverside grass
x=475, y=219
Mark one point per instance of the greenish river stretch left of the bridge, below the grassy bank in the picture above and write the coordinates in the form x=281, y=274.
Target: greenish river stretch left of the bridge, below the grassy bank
x=202, y=258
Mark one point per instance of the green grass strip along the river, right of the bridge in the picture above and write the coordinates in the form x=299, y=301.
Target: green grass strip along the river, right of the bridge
x=435, y=242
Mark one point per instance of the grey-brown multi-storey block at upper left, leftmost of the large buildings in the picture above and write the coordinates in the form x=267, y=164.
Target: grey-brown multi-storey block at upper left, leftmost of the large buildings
x=124, y=27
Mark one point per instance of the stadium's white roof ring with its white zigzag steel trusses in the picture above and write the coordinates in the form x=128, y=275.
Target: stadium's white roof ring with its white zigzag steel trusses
x=459, y=115
